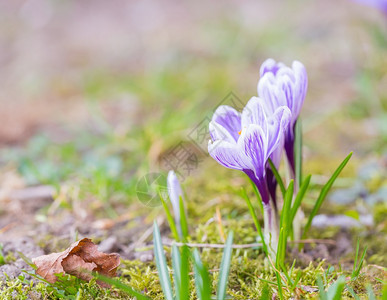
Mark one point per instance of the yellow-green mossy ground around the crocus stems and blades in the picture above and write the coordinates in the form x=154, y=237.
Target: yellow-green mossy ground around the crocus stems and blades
x=250, y=275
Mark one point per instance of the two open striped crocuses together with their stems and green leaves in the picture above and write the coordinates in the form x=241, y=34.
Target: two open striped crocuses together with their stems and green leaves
x=253, y=142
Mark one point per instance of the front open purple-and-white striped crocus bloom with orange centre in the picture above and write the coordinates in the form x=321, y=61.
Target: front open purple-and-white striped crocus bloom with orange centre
x=244, y=141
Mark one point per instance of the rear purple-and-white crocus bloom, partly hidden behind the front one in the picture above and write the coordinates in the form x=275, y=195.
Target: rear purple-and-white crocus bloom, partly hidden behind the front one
x=279, y=86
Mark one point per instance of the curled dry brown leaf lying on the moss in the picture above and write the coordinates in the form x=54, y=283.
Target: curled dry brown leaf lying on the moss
x=80, y=259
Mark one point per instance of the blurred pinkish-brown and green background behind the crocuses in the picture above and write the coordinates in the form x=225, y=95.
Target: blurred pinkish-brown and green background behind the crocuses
x=94, y=94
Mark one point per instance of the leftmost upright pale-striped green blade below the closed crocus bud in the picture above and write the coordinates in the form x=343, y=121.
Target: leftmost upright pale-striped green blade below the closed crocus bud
x=161, y=263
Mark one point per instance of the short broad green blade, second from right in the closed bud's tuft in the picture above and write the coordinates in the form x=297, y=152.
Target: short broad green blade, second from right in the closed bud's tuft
x=202, y=279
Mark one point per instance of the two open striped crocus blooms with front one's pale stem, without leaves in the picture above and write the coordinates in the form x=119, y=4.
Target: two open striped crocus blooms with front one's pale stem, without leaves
x=246, y=141
